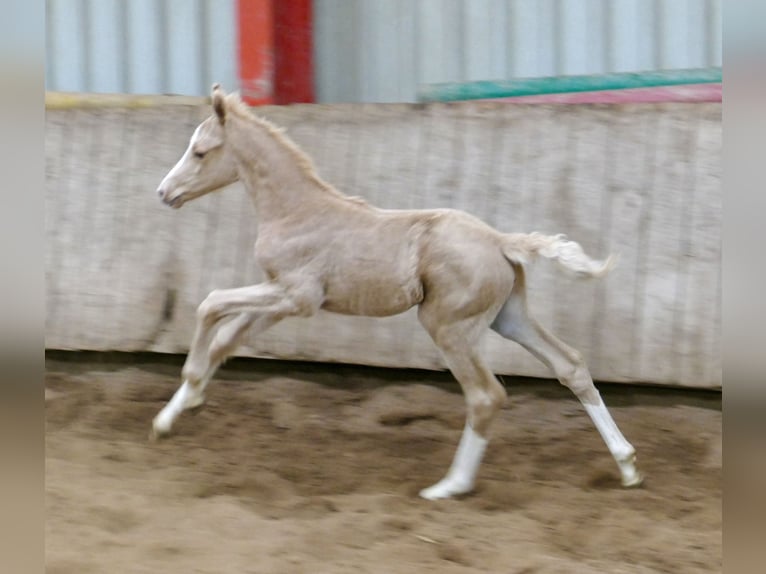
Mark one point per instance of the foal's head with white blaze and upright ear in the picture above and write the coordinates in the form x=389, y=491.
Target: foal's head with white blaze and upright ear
x=205, y=166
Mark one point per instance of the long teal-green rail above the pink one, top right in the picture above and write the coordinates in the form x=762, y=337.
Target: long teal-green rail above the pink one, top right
x=450, y=92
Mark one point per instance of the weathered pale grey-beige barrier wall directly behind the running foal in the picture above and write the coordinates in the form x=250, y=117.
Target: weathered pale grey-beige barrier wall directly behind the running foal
x=123, y=272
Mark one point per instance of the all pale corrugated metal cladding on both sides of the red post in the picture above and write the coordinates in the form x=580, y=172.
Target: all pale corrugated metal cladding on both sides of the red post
x=377, y=50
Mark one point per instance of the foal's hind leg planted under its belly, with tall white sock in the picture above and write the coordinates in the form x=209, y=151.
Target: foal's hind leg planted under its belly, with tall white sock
x=484, y=396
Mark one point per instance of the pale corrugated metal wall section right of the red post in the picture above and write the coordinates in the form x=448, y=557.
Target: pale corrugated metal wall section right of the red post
x=369, y=50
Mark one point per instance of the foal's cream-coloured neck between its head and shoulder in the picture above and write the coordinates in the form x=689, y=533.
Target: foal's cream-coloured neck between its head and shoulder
x=272, y=173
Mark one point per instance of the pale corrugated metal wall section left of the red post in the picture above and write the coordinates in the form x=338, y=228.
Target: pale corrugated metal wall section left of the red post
x=140, y=46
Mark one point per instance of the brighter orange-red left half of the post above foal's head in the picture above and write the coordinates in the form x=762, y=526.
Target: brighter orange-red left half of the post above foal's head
x=255, y=30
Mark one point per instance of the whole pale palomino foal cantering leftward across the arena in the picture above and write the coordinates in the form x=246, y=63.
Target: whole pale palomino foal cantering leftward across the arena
x=321, y=249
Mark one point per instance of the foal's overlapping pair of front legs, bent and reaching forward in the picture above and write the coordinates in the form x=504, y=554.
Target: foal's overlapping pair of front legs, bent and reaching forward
x=259, y=306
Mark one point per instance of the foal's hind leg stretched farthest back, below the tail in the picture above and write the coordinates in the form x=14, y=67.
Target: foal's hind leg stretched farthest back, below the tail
x=513, y=322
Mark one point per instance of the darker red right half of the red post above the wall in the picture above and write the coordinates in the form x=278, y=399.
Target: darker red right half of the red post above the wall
x=294, y=77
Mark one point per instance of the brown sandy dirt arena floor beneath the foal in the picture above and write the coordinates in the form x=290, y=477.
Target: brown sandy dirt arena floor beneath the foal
x=296, y=468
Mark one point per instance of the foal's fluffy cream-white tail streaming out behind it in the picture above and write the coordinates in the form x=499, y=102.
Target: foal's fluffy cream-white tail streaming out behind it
x=524, y=248
